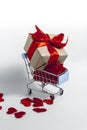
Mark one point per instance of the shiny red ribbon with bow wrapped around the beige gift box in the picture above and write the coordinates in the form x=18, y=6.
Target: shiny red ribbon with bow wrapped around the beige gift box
x=41, y=39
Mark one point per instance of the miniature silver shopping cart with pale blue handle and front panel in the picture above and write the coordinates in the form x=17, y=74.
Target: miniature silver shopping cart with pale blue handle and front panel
x=46, y=80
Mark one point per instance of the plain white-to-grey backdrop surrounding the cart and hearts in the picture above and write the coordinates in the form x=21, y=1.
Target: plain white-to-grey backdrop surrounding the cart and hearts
x=17, y=19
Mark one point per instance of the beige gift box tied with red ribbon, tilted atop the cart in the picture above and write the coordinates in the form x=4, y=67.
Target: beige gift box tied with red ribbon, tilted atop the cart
x=43, y=49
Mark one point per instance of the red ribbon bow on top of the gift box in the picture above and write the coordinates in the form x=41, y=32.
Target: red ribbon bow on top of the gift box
x=56, y=41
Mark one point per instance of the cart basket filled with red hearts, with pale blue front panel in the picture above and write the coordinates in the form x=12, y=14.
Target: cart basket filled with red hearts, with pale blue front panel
x=58, y=76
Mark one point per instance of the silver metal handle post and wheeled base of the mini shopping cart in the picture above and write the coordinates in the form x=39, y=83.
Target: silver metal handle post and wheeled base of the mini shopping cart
x=30, y=74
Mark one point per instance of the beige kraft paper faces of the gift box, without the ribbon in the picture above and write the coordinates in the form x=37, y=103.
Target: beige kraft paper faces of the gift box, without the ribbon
x=41, y=55
